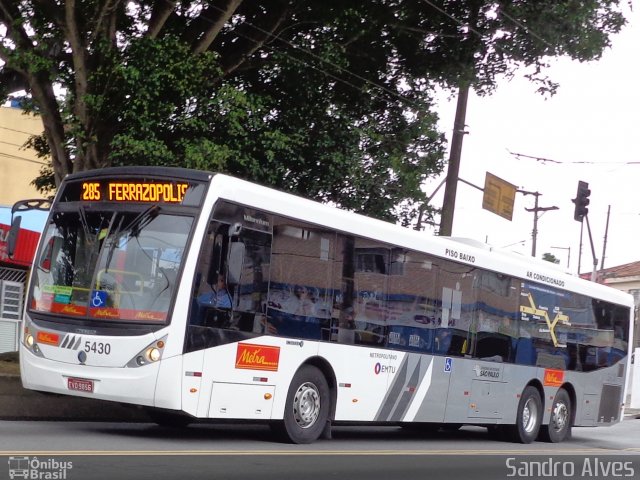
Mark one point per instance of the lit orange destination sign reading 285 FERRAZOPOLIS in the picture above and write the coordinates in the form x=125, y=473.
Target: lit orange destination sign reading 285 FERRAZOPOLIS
x=133, y=191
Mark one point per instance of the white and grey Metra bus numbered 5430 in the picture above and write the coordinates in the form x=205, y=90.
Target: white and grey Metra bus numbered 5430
x=201, y=296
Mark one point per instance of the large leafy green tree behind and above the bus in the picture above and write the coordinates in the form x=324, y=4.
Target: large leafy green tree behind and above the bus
x=328, y=99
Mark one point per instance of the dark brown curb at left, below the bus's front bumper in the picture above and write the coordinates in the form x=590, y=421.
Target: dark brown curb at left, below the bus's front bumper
x=17, y=403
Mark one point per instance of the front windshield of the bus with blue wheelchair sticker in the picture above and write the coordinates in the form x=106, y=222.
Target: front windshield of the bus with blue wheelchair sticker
x=110, y=266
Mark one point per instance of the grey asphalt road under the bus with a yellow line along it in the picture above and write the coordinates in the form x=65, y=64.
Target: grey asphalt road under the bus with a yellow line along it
x=94, y=450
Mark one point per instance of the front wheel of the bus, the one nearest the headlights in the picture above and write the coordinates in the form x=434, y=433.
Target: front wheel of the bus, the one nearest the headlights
x=307, y=408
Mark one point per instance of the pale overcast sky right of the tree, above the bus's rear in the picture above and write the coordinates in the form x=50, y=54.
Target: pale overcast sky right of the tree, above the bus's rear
x=590, y=126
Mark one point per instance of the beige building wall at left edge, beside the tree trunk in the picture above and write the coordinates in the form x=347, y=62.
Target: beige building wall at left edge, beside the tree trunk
x=18, y=165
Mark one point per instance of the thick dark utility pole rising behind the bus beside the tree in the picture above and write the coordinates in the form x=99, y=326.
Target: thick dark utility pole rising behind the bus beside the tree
x=449, y=202
